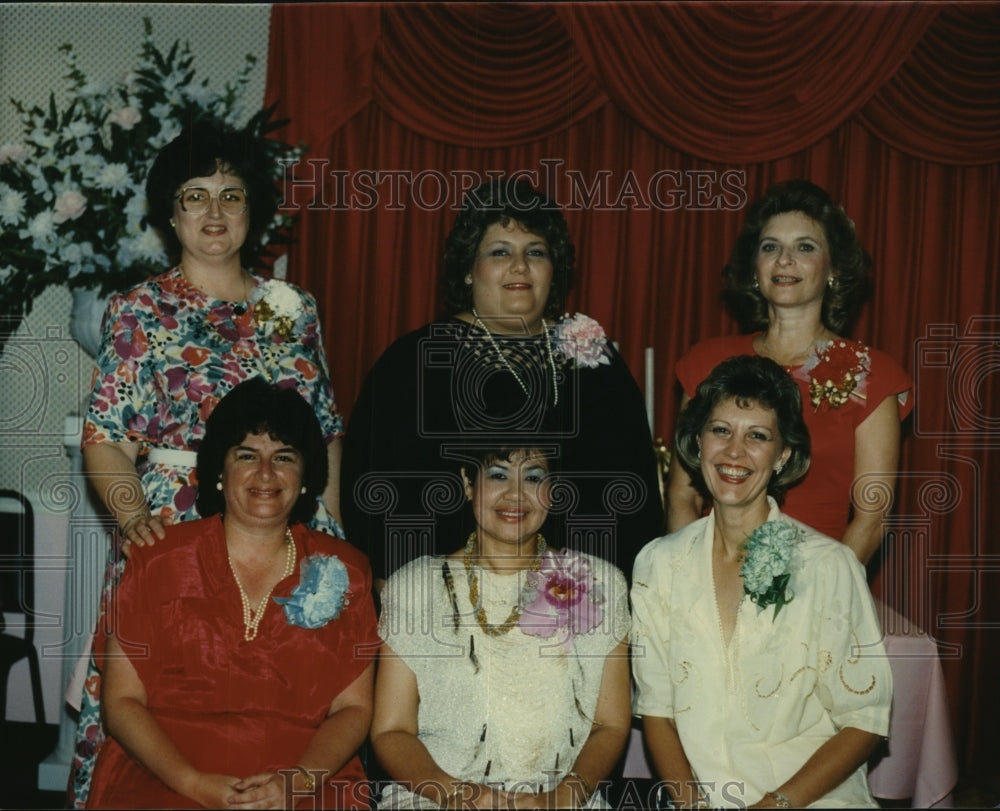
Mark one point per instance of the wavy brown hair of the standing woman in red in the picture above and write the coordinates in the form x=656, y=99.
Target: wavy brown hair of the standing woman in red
x=850, y=263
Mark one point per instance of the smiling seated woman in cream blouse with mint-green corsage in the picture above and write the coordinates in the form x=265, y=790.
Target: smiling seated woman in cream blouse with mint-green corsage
x=760, y=673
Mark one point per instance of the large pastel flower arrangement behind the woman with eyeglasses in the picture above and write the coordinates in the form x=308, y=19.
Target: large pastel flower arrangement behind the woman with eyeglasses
x=72, y=197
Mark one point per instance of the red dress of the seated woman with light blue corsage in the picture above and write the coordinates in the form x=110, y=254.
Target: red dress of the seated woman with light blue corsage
x=231, y=706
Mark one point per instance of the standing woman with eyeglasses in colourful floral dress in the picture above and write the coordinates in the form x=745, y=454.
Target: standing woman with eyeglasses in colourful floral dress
x=174, y=345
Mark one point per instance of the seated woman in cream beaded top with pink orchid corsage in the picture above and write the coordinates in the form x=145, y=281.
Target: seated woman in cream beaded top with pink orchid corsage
x=503, y=679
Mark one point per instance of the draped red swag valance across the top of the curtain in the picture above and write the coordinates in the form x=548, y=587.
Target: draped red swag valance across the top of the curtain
x=732, y=82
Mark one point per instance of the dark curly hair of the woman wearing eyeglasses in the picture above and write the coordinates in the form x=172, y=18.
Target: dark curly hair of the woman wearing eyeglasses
x=202, y=149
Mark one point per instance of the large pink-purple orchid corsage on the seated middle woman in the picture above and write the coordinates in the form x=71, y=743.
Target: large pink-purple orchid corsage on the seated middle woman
x=563, y=598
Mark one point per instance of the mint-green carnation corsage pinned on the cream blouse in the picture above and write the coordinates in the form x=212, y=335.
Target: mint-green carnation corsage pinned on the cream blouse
x=769, y=559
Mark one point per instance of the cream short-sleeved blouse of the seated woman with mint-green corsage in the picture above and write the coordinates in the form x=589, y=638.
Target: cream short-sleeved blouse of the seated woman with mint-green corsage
x=750, y=714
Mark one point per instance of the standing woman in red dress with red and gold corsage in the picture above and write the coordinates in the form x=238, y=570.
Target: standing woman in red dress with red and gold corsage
x=795, y=281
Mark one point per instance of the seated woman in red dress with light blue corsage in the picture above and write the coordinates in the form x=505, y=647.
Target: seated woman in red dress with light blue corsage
x=238, y=657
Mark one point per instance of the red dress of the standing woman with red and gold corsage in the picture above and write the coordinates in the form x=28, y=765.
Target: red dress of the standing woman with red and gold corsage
x=822, y=499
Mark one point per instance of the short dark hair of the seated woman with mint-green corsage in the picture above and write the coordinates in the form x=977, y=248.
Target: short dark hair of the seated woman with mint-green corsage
x=748, y=379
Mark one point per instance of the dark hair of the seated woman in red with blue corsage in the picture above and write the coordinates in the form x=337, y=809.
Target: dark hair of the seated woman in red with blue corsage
x=258, y=407
